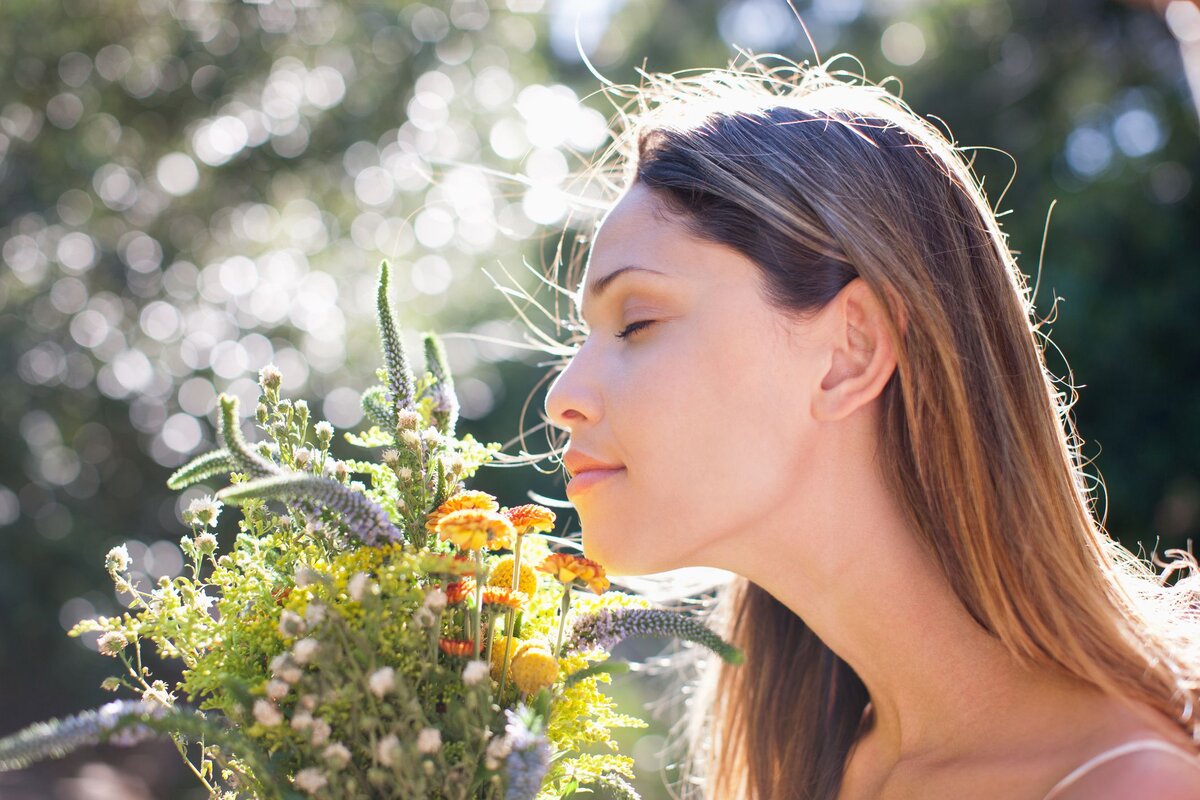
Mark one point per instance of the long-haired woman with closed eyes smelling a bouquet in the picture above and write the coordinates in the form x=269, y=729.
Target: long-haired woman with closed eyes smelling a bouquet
x=811, y=362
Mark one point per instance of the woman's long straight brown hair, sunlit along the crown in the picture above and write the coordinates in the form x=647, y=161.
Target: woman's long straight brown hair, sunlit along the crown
x=819, y=178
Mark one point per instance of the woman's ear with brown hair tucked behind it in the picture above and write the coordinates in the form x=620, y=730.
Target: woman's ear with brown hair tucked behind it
x=859, y=352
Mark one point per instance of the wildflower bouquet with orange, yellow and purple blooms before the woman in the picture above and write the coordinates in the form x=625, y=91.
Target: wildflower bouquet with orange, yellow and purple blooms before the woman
x=395, y=636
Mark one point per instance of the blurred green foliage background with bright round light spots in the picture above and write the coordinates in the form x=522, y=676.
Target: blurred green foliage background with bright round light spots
x=191, y=190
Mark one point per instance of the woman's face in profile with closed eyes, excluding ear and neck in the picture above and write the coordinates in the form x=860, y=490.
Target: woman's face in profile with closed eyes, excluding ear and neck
x=705, y=408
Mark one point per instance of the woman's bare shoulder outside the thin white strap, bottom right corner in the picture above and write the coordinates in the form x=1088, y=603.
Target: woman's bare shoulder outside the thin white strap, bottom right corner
x=1142, y=775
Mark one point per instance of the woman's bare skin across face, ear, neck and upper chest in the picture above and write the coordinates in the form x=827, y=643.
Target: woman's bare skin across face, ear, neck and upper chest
x=749, y=443
